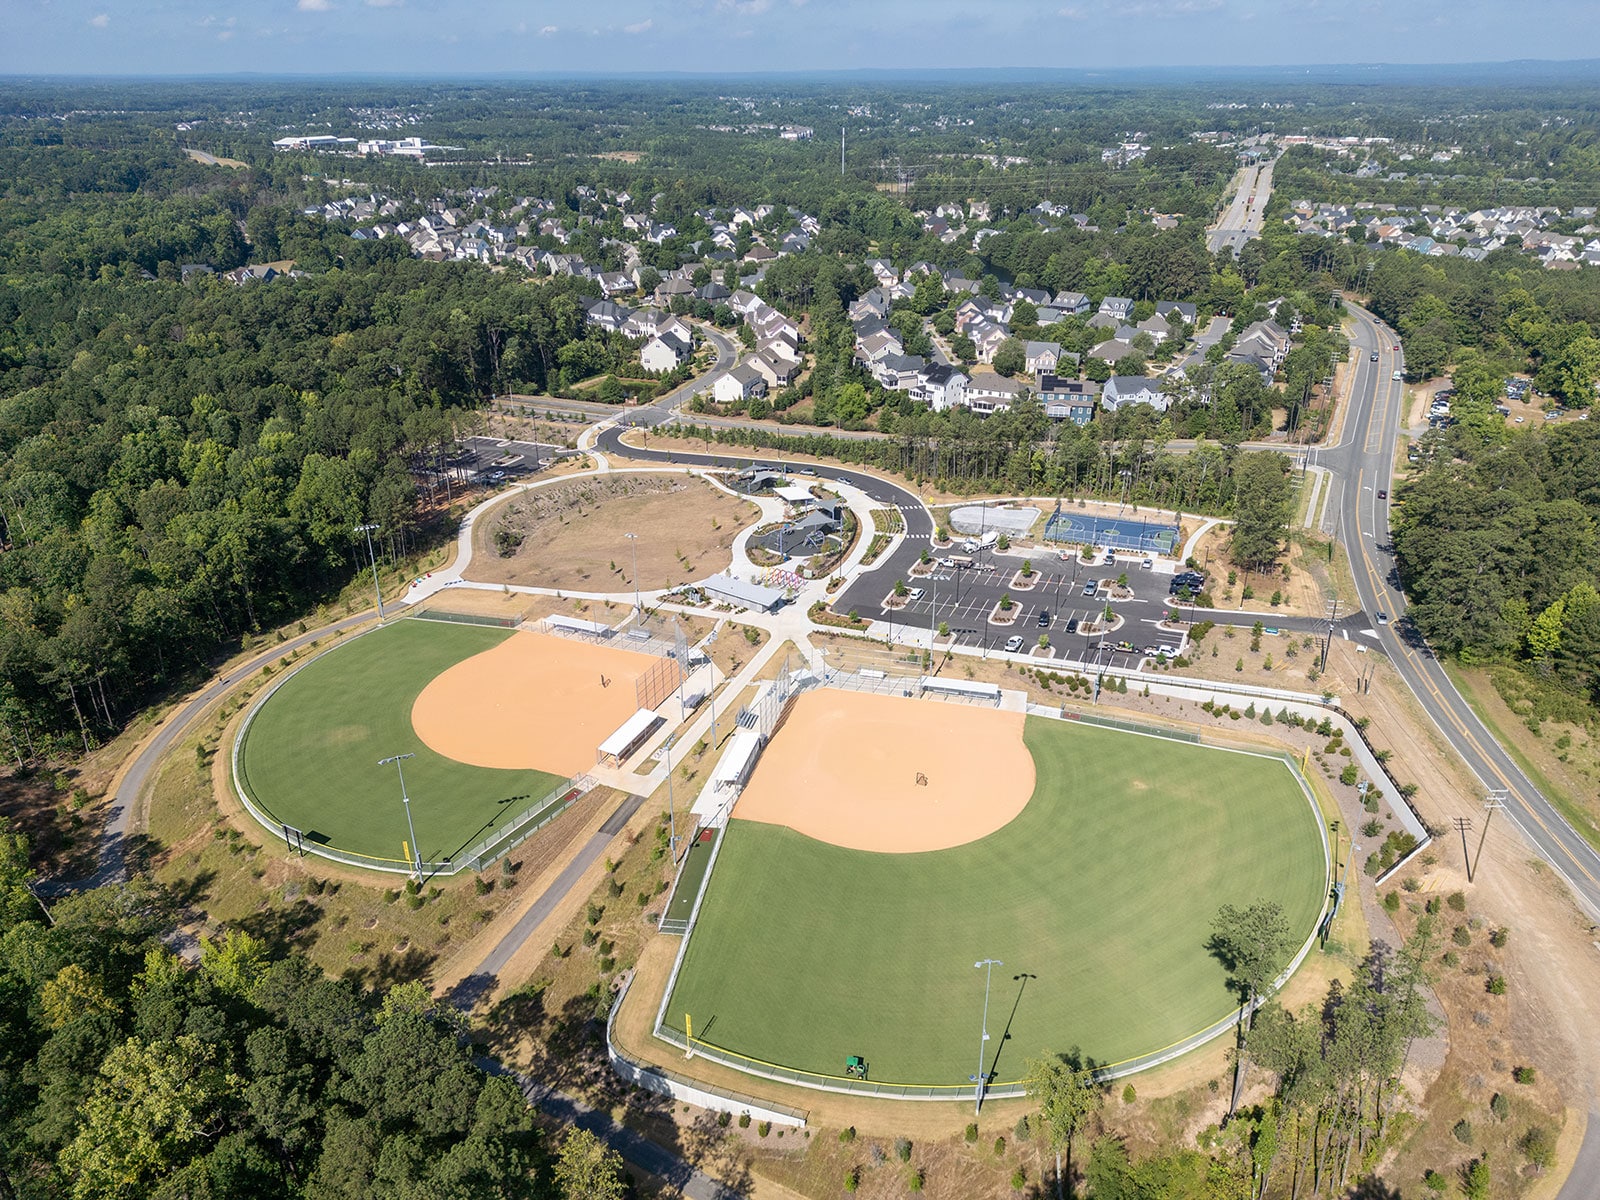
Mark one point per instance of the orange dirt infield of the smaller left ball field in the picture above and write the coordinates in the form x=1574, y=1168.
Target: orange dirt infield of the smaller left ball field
x=534, y=702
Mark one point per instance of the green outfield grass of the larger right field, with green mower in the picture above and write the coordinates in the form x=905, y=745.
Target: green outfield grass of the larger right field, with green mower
x=1103, y=890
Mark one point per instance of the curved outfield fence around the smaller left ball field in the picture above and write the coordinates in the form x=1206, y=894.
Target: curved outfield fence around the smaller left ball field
x=481, y=855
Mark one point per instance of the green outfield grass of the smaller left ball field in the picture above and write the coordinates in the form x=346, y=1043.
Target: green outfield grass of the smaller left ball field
x=311, y=758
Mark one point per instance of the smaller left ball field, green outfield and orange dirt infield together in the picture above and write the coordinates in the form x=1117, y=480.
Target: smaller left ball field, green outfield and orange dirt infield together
x=495, y=721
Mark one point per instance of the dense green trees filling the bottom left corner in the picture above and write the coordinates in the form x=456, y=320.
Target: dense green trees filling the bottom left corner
x=129, y=1073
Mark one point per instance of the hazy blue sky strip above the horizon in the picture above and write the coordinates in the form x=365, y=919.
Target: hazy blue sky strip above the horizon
x=460, y=38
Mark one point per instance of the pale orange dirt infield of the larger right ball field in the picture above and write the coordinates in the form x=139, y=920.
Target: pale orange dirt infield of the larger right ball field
x=892, y=775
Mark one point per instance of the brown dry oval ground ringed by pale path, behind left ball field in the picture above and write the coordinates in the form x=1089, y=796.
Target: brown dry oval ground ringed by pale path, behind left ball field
x=574, y=535
